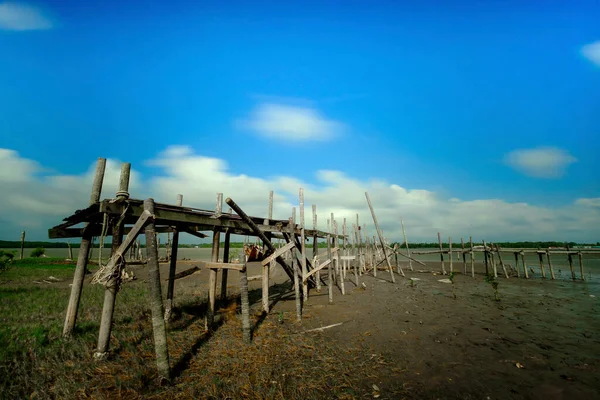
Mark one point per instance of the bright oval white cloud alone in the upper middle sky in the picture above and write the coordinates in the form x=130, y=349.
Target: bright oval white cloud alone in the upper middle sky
x=291, y=123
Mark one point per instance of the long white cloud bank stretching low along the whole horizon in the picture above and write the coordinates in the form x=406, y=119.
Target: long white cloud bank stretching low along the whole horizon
x=39, y=202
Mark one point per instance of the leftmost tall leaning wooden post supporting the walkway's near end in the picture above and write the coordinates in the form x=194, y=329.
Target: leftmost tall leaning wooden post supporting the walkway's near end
x=82, y=255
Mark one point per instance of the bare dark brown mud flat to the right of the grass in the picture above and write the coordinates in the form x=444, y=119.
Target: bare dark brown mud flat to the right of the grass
x=435, y=340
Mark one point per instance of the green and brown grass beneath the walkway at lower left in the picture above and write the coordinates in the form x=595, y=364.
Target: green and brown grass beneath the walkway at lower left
x=36, y=362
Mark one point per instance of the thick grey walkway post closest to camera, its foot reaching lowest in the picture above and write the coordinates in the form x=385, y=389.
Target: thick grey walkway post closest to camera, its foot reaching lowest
x=156, y=305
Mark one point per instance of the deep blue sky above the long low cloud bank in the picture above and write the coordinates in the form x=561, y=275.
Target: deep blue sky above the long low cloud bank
x=433, y=96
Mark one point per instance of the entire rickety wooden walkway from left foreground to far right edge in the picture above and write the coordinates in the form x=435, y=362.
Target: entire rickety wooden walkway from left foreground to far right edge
x=350, y=251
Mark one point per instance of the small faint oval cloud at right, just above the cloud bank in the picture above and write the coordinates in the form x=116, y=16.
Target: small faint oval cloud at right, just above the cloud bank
x=540, y=162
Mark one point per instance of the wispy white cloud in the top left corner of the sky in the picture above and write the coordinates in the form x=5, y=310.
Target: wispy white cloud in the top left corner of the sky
x=22, y=17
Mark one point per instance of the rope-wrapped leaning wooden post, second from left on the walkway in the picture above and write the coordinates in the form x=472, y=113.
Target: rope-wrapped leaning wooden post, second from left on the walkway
x=110, y=291
